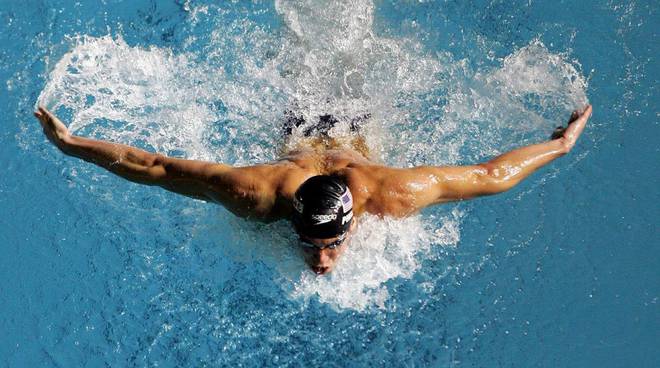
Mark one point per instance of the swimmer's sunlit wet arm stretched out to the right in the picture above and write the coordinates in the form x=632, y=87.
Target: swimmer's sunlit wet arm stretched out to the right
x=431, y=185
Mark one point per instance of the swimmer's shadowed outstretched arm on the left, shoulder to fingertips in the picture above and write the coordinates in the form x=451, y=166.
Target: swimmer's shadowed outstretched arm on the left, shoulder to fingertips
x=243, y=190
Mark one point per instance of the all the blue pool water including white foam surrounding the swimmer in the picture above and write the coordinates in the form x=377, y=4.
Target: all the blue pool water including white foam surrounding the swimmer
x=562, y=271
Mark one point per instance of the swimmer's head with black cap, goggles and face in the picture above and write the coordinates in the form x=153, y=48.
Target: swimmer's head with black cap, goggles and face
x=323, y=219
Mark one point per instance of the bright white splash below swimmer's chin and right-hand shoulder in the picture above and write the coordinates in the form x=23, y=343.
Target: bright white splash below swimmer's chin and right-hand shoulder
x=383, y=250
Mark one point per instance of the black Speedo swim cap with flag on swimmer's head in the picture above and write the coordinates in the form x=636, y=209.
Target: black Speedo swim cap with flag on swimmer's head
x=323, y=207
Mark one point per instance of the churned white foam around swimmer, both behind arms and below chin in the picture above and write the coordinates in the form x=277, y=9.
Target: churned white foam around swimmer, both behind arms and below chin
x=223, y=96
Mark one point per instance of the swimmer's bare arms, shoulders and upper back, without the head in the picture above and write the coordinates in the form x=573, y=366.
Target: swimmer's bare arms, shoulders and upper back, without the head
x=264, y=192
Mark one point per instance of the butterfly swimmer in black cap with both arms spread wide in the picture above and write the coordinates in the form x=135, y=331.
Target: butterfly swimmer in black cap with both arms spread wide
x=321, y=188
